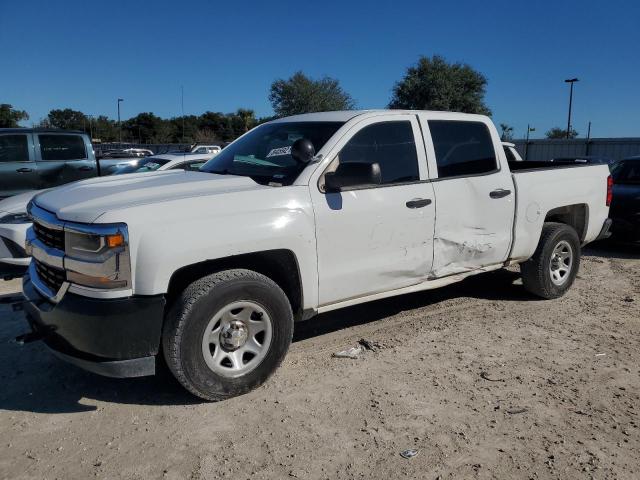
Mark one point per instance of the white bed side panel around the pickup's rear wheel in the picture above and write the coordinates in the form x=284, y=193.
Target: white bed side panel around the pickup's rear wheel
x=540, y=191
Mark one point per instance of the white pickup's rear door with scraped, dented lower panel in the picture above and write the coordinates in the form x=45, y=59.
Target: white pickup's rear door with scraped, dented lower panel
x=474, y=196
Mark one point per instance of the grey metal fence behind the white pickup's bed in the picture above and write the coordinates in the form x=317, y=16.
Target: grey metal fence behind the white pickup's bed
x=614, y=148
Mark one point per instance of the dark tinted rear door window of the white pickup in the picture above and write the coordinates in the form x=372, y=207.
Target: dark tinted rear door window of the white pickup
x=462, y=148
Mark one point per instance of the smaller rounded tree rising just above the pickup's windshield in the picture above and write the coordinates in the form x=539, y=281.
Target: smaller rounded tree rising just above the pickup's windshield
x=301, y=94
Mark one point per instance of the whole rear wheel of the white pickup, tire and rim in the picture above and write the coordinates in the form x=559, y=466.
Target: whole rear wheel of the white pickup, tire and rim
x=550, y=272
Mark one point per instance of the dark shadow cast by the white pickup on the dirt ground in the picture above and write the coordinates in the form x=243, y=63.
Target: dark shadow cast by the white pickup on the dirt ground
x=36, y=381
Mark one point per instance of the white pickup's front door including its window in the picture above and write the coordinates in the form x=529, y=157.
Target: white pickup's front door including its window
x=385, y=223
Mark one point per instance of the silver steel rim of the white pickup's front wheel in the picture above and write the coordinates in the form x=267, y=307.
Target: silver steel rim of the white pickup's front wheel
x=237, y=339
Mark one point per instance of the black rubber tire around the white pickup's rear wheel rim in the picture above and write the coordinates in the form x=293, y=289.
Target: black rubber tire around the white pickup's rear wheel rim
x=536, y=275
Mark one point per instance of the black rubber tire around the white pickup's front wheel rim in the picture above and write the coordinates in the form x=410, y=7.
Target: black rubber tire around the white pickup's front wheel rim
x=189, y=316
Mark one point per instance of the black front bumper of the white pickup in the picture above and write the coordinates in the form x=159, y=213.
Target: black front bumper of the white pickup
x=112, y=337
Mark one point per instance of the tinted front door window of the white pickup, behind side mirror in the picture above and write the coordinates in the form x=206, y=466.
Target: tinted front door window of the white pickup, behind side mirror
x=391, y=145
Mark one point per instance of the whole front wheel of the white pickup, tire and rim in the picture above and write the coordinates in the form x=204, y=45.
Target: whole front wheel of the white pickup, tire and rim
x=227, y=333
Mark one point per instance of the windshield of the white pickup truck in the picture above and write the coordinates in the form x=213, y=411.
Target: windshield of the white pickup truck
x=264, y=154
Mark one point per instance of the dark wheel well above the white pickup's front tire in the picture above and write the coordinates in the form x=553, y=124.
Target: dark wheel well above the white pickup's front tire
x=280, y=266
